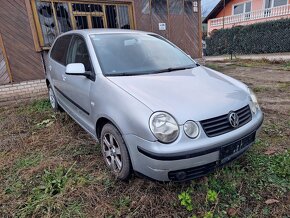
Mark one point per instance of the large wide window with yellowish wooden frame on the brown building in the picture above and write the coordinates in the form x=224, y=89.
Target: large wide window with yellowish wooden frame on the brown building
x=53, y=17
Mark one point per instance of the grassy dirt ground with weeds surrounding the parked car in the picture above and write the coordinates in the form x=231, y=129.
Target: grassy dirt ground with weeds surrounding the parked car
x=50, y=167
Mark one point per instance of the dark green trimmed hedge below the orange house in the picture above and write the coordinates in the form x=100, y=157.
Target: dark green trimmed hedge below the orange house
x=267, y=37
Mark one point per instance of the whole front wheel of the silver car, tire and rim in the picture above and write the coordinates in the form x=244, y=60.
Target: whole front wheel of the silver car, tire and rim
x=115, y=152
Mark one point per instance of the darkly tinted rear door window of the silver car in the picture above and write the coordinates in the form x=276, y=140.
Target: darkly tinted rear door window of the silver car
x=59, y=50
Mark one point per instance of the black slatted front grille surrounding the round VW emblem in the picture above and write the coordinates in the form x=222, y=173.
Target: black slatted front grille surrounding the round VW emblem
x=221, y=125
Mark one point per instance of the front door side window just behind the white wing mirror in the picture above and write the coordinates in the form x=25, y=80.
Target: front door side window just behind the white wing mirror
x=78, y=53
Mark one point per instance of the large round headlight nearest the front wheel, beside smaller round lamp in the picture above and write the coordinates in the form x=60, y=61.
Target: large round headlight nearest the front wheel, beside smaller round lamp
x=164, y=127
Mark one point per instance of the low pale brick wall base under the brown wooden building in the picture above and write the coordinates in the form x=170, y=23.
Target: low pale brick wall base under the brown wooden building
x=21, y=91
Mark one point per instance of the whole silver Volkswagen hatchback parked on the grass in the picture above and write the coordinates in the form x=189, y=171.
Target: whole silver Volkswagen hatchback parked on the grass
x=153, y=109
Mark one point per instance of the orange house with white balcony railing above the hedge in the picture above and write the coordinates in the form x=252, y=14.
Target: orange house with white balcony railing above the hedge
x=230, y=13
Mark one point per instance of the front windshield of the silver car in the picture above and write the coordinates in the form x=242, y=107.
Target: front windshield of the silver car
x=138, y=54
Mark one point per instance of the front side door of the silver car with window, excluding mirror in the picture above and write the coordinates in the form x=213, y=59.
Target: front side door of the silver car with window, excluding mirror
x=78, y=87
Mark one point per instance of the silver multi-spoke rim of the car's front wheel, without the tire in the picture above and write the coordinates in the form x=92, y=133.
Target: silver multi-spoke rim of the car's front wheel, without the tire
x=112, y=152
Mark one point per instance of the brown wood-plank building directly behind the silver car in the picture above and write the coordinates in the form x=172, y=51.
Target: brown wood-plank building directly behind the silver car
x=28, y=27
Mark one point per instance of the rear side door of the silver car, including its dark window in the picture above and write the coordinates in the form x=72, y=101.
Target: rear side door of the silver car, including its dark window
x=57, y=66
